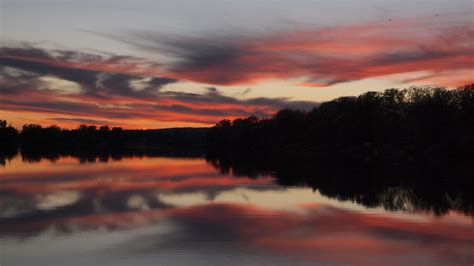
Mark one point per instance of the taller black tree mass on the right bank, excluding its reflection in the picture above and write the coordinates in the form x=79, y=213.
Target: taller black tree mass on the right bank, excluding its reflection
x=393, y=126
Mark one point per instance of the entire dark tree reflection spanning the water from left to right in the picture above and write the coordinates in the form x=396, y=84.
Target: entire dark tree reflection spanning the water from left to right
x=417, y=187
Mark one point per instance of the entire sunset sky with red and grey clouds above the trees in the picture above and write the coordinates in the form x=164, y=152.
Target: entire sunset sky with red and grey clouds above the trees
x=158, y=64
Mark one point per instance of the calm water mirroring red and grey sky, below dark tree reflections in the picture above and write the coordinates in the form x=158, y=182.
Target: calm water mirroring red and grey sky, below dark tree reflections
x=182, y=211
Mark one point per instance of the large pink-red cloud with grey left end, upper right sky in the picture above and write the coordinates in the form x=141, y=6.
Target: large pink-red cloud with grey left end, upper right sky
x=320, y=56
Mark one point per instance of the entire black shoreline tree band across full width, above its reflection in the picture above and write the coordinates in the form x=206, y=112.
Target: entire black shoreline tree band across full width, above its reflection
x=393, y=125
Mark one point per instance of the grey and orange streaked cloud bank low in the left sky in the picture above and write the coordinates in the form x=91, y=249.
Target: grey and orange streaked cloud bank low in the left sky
x=76, y=84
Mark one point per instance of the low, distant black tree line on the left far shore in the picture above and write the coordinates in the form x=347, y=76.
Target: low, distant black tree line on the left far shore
x=89, y=137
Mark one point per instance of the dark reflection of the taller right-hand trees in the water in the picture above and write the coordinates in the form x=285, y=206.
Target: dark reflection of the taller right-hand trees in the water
x=412, y=188
